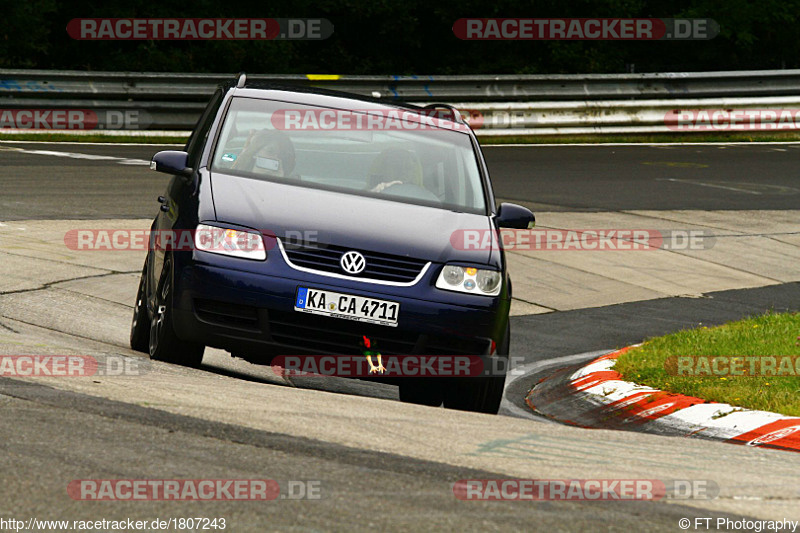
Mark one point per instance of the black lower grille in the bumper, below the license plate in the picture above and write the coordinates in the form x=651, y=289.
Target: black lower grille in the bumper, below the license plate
x=343, y=337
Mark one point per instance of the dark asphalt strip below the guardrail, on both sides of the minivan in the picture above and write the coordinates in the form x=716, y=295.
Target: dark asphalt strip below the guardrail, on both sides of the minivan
x=552, y=178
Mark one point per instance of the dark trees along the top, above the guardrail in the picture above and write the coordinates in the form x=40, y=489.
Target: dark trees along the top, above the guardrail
x=402, y=37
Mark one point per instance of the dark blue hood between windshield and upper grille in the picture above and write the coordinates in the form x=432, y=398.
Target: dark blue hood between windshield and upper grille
x=346, y=220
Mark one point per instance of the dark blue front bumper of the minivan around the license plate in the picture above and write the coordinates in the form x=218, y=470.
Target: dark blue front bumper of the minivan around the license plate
x=253, y=313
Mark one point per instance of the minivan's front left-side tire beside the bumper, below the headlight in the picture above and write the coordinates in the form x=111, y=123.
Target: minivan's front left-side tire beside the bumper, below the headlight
x=164, y=344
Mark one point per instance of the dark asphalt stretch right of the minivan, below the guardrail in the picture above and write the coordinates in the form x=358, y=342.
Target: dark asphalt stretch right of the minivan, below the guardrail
x=612, y=178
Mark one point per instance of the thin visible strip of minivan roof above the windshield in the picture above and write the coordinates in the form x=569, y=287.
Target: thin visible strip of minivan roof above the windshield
x=318, y=97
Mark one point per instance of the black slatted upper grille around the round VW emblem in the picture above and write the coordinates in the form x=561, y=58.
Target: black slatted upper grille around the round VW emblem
x=380, y=266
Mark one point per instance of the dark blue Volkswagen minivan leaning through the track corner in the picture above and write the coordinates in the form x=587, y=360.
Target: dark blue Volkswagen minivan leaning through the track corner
x=319, y=220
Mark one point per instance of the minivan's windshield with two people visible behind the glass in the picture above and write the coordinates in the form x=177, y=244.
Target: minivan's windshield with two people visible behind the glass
x=374, y=153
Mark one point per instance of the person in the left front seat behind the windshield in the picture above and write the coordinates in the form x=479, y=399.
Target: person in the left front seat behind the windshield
x=267, y=152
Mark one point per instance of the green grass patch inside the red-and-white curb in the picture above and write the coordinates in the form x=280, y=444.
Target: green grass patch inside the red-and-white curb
x=773, y=334
